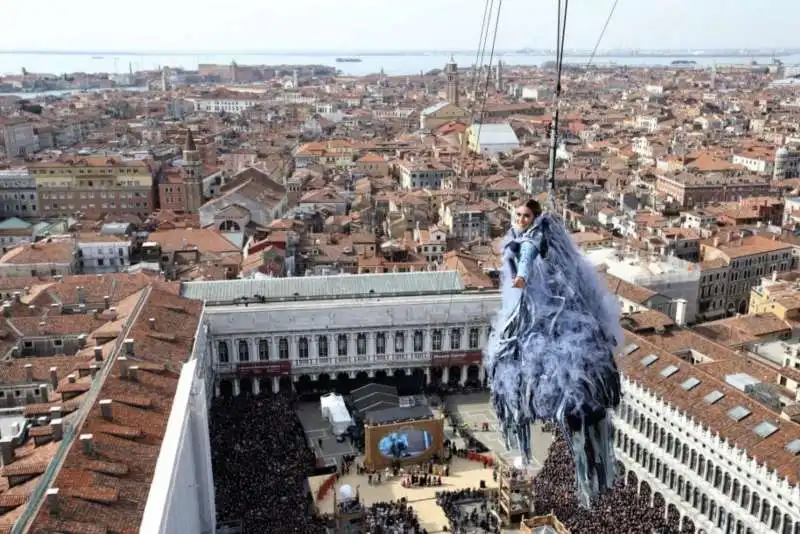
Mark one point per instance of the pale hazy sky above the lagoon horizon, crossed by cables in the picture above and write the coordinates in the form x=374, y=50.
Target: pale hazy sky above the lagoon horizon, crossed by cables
x=363, y=25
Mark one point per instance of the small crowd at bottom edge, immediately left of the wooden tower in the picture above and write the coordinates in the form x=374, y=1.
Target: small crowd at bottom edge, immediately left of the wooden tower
x=468, y=511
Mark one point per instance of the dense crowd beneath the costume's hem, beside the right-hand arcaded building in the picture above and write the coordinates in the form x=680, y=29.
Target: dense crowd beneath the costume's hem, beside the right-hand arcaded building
x=619, y=510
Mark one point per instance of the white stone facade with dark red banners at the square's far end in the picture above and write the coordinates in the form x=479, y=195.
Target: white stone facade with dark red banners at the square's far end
x=437, y=335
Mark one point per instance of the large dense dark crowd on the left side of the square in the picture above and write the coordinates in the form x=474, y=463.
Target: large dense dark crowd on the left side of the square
x=261, y=459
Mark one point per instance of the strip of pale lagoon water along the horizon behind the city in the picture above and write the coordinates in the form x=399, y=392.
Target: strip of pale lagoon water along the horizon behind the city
x=395, y=65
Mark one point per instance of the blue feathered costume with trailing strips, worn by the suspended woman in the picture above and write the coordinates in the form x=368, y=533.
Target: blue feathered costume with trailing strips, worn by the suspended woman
x=550, y=353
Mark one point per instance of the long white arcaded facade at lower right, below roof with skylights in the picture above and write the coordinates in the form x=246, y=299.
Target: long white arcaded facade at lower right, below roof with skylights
x=707, y=479
